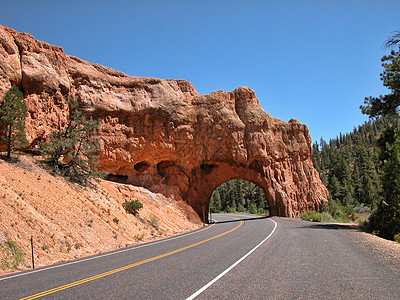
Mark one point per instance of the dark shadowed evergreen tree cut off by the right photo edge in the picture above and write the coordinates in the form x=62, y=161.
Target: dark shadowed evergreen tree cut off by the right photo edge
x=386, y=219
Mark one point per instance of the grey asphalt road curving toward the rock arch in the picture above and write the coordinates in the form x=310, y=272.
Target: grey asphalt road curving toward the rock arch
x=240, y=257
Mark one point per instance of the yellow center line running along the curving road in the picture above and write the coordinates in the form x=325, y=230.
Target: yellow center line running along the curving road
x=88, y=279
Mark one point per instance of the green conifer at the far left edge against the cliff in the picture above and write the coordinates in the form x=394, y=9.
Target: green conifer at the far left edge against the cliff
x=12, y=115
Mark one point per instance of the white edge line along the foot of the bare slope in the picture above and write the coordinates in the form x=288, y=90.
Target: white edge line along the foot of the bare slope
x=105, y=254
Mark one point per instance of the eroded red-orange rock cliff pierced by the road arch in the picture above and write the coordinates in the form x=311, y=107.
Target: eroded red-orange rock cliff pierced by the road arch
x=161, y=134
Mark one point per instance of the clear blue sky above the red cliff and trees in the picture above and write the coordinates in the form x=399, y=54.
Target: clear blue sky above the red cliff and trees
x=312, y=60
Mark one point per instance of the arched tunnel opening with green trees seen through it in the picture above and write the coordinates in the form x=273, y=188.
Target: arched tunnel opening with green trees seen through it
x=239, y=196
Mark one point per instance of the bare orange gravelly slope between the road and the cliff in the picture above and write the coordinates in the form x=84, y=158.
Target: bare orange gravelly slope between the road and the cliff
x=68, y=221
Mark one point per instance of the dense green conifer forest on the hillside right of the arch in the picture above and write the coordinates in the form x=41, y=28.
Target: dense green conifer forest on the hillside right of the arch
x=350, y=167
